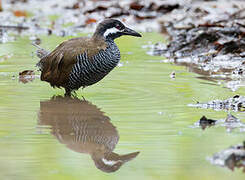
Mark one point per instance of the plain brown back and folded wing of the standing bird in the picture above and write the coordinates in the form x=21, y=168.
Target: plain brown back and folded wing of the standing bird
x=57, y=65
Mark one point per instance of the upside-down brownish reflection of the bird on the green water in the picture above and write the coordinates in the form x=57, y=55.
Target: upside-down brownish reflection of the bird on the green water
x=84, y=129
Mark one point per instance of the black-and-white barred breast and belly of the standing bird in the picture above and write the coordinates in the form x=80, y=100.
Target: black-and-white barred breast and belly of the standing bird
x=88, y=71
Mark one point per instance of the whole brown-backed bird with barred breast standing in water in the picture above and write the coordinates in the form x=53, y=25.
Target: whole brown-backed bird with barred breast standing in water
x=83, y=61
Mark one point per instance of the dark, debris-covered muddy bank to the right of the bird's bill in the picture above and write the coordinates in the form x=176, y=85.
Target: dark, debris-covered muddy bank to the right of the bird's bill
x=208, y=38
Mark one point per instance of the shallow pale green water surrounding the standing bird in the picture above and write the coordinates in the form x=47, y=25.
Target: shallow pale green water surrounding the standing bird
x=137, y=101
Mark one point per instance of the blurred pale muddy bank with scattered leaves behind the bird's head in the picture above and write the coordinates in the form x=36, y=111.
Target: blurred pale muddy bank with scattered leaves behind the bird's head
x=64, y=18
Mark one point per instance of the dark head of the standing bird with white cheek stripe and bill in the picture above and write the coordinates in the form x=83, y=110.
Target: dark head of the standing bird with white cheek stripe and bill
x=112, y=29
